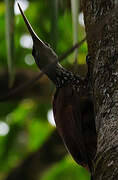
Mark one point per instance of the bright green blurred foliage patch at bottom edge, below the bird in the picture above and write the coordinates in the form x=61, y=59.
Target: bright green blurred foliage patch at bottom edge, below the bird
x=66, y=169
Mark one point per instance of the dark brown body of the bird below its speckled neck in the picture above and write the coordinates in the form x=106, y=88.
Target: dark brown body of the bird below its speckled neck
x=74, y=119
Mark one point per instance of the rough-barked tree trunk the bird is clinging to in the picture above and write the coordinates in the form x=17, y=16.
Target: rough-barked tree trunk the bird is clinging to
x=103, y=49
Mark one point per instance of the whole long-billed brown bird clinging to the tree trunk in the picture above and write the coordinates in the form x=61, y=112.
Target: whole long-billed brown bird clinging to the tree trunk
x=72, y=103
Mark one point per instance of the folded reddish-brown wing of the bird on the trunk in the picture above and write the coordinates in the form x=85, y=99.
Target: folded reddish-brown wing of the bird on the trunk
x=69, y=123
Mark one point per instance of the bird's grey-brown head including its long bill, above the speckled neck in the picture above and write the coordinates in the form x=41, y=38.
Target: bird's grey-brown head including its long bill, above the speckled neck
x=42, y=52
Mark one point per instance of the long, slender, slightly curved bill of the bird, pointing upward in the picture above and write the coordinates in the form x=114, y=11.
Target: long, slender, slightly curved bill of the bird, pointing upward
x=30, y=29
